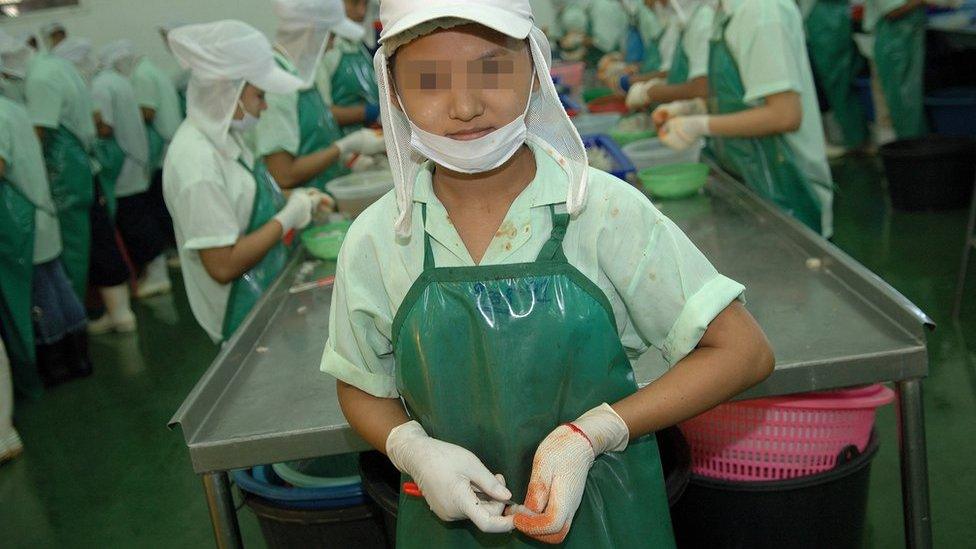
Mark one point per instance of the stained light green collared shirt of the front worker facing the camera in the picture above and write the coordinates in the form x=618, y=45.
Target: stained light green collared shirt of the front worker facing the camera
x=663, y=291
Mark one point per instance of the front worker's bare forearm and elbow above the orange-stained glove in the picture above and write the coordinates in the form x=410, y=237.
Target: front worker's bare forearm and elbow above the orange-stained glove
x=705, y=378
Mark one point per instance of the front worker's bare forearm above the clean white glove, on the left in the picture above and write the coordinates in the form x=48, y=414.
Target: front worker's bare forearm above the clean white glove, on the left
x=372, y=417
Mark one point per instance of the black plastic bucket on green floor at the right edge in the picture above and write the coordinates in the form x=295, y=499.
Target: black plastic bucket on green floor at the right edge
x=930, y=173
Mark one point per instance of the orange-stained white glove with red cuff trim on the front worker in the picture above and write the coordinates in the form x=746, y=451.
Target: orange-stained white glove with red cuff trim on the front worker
x=559, y=470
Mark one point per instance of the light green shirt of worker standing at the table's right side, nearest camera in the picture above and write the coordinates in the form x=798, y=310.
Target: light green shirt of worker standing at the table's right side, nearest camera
x=766, y=39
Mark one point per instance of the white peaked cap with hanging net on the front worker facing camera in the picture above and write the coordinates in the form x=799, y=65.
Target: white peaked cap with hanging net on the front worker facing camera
x=547, y=121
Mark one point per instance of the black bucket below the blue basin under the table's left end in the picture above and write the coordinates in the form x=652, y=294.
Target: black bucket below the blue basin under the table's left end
x=358, y=526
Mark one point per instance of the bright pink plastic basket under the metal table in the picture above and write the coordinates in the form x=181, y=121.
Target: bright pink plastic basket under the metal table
x=784, y=437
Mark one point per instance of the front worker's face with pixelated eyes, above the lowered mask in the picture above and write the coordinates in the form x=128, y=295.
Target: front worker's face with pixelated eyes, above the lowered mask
x=464, y=82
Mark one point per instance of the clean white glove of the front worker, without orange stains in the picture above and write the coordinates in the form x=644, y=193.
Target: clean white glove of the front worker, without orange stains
x=447, y=475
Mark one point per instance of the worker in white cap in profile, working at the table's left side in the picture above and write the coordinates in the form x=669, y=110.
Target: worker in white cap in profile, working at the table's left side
x=229, y=218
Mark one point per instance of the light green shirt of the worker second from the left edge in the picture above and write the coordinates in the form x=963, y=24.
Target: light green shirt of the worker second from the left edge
x=57, y=95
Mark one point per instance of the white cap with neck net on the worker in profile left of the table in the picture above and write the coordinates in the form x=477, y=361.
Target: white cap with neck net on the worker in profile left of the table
x=222, y=57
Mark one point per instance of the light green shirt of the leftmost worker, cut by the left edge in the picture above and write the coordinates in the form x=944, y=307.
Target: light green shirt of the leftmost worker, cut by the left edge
x=21, y=153
